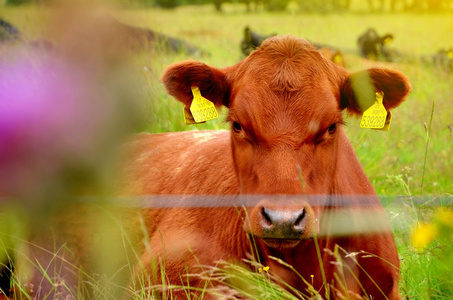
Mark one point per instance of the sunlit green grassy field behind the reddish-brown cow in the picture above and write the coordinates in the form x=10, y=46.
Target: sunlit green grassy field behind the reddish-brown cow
x=410, y=166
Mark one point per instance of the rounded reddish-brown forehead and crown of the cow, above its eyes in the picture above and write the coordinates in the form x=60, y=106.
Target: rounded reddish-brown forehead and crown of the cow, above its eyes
x=285, y=88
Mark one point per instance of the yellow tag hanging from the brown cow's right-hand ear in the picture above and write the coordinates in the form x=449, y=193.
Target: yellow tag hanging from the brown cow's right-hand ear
x=376, y=116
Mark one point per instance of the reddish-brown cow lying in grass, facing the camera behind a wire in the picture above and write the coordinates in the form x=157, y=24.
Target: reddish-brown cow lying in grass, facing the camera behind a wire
x=285, y=109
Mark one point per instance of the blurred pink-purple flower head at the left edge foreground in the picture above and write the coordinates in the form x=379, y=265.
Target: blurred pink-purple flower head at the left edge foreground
x=52, y=114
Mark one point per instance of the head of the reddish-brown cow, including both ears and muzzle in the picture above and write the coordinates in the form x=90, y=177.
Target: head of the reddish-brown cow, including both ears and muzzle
x=285, y=109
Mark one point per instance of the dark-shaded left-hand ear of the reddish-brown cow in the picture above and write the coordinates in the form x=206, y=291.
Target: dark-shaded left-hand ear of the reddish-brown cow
x=180, y=77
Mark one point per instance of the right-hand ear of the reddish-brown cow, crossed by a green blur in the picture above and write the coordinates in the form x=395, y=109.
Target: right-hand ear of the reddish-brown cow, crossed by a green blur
x=359, y=89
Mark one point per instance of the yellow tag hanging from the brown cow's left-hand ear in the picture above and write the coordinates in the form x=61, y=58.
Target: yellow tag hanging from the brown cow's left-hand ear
x=201, y=109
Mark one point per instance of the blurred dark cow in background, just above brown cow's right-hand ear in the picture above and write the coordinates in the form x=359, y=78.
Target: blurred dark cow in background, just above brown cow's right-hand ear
x=373, y=46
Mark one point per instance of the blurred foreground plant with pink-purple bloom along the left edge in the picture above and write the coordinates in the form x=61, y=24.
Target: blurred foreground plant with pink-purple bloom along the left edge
x=64, y=113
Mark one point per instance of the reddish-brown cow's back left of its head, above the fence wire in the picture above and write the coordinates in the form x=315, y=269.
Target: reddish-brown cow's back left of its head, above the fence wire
x=184, y=163
